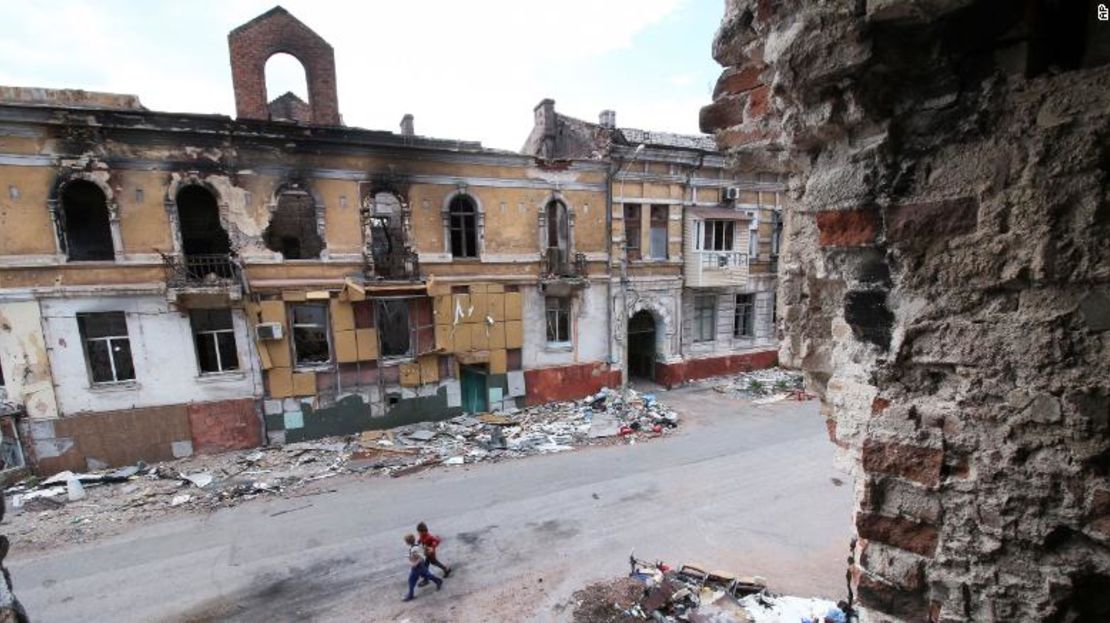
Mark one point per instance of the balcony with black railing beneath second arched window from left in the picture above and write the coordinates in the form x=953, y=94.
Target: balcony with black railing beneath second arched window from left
x=200, y=282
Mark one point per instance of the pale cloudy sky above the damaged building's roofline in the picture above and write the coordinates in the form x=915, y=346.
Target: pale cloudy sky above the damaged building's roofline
x=467, y=71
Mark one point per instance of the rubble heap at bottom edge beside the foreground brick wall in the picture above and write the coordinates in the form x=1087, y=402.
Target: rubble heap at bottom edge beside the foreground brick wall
x=690, y=594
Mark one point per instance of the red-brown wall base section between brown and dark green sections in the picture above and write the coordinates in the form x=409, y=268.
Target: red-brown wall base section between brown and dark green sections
x=230, y=425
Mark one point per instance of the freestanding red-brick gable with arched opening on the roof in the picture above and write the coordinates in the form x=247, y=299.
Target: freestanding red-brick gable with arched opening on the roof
x=276, y=32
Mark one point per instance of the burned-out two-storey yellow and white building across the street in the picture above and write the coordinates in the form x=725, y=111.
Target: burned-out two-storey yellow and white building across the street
x=175, y=284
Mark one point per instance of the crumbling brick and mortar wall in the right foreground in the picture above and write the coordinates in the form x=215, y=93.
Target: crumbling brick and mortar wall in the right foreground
x=945, y=283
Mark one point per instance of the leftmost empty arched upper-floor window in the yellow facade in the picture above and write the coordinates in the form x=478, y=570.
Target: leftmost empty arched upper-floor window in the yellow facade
x=86, y=224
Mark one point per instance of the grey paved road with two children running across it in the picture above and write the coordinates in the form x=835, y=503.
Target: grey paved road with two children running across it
x=740, y=487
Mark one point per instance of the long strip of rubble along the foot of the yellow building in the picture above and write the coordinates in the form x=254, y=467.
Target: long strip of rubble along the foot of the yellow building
x=80, y=507
